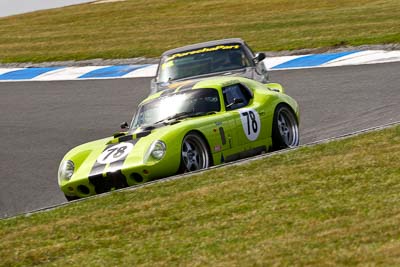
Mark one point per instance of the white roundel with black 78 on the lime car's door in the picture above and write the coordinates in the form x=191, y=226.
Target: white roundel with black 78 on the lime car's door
x=251, y=123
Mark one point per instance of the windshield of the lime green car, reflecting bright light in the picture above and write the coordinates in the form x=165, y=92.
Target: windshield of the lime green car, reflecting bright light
x=192, y=102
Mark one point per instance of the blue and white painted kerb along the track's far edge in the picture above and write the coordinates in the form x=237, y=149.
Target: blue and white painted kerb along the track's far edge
x=149, y=70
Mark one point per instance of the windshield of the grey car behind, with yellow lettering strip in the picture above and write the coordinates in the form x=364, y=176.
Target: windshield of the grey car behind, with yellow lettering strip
x=202, y=61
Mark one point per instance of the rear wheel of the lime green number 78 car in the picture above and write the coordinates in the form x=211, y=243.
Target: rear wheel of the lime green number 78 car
x=285, y=128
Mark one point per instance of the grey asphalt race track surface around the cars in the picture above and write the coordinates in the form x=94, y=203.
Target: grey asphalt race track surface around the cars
x=41, y=121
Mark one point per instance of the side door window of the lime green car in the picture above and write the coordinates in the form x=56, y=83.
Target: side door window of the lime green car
x=236, y=96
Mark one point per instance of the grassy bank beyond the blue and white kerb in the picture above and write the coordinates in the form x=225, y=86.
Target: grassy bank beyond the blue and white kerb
x=148, y=27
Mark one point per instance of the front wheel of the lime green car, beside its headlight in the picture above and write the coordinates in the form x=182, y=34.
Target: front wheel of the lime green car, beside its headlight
x=195, y=154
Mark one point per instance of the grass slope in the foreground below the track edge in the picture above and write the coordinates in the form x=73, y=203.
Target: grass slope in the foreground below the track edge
x=330, y=204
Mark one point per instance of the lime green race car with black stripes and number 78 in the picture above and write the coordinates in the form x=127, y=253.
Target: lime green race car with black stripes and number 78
x=198, y=124
